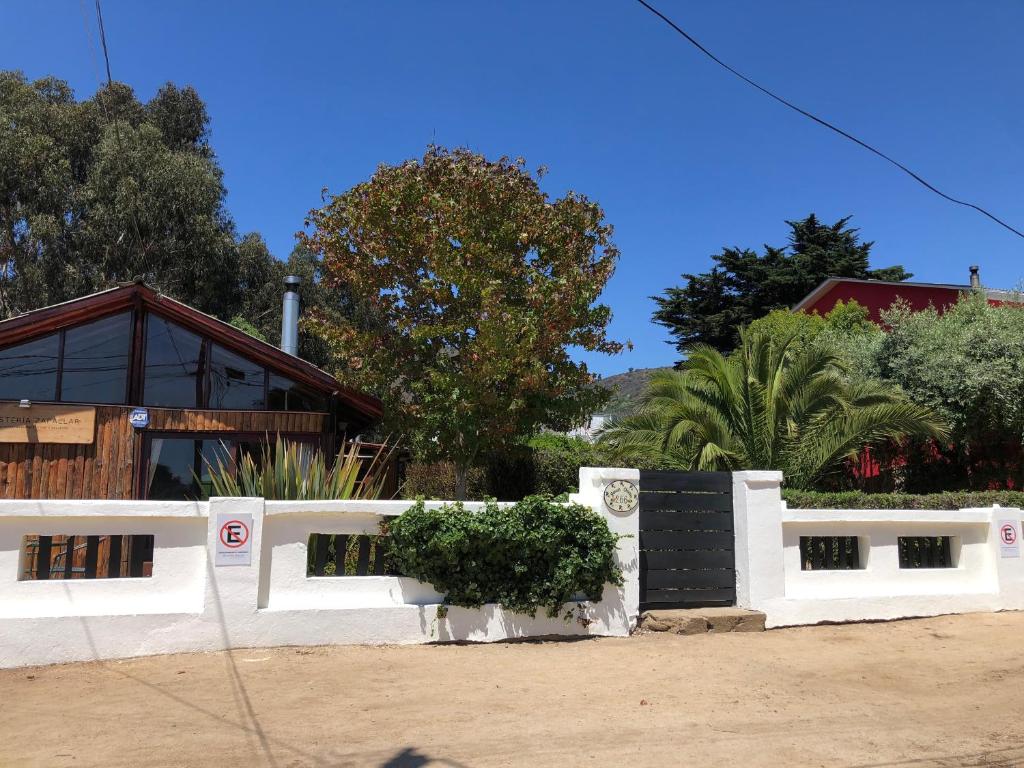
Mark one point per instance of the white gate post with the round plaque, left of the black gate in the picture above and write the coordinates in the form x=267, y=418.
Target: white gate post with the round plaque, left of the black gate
x=627, y=525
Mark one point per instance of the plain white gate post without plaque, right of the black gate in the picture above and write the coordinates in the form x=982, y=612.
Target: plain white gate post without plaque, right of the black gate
x=757, y=507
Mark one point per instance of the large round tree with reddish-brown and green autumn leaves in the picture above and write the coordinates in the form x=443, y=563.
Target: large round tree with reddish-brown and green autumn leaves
x=472, y=285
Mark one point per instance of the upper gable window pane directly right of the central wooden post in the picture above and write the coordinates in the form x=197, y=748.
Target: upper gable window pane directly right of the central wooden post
x=173, y=365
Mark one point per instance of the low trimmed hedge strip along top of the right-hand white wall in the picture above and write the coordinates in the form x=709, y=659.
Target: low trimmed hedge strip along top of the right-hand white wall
x=798, y=499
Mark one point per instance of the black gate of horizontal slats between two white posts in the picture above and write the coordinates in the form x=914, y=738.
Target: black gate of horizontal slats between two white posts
x=687, y=540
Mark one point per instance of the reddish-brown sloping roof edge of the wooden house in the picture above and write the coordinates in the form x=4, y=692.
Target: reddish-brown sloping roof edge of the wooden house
x=140, y=295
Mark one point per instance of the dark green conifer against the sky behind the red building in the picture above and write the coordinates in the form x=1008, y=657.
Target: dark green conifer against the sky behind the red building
x=745, y=285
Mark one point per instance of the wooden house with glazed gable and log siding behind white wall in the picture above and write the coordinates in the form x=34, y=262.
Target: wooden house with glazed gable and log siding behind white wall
x=122, y=395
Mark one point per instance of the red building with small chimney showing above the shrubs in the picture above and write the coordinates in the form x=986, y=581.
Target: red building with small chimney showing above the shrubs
x=879, y=295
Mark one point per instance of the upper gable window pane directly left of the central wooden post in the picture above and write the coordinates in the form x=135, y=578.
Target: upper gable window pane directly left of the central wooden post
x=96, y=361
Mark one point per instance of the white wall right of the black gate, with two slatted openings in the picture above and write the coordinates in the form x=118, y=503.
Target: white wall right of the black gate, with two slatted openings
x=769, y=564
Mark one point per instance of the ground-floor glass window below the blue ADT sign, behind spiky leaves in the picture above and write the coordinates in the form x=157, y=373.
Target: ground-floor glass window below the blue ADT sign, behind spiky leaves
x=179, y=470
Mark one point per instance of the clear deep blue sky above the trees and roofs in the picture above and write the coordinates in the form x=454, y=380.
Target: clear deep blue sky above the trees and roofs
x=684, y=158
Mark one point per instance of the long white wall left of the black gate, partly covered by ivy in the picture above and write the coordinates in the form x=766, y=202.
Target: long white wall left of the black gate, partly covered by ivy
x=191, y=606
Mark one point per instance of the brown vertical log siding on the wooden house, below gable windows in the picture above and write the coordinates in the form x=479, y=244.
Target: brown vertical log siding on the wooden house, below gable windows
x=106, y=470
